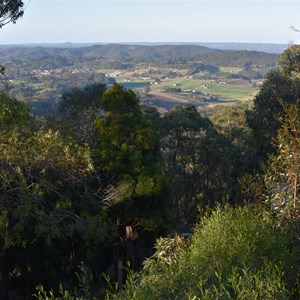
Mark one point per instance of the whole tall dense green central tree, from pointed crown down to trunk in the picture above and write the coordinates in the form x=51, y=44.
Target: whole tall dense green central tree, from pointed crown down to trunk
x=127, y=156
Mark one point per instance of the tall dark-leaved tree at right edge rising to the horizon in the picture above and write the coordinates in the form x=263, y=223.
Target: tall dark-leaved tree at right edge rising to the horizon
x=280, y=87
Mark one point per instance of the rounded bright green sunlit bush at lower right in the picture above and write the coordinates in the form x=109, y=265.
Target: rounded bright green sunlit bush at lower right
x=236, y=236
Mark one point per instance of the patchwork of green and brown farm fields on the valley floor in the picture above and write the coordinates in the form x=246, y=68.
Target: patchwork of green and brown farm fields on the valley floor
x=189, y=88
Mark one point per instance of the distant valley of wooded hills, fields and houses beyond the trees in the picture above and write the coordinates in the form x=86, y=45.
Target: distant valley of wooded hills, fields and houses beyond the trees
x=40, y=75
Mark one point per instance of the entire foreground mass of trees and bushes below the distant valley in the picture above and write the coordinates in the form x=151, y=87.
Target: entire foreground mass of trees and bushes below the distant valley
x=107, y=178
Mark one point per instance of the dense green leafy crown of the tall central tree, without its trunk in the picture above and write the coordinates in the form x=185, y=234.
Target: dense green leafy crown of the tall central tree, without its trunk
x=128, y=154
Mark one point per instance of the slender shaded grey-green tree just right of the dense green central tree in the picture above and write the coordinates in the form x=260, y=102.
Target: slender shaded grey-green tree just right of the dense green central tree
x=183, y=130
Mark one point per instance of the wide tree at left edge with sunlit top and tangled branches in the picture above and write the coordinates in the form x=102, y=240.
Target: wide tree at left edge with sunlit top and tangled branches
x=51, y=212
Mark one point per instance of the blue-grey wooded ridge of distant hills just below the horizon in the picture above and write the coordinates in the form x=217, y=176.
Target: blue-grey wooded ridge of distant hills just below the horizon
x=142, y=53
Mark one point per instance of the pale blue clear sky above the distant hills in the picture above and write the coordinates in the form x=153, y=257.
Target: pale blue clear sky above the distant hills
x=84, y=21
